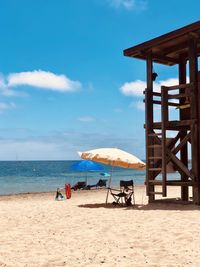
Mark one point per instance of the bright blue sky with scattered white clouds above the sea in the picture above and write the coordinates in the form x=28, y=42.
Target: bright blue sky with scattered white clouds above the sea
x=65, y=85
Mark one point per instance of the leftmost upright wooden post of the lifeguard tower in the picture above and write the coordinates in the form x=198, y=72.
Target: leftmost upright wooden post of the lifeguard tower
x=149, y=125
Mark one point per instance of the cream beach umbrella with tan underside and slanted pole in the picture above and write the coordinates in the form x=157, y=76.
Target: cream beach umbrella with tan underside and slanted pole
x=114, y=157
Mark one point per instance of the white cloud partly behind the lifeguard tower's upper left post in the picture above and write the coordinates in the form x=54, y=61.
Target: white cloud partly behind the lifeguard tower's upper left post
x=137, y=87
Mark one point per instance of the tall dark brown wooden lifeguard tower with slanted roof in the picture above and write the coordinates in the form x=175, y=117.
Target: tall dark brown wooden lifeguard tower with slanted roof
x=182, y=48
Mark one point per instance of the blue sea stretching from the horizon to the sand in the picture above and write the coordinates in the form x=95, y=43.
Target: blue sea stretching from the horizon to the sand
x=46, y=176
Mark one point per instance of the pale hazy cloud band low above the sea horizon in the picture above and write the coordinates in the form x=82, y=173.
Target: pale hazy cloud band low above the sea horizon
x=62, y=145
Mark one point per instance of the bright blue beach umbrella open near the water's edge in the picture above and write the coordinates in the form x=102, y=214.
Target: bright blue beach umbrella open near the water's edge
x=86, y=166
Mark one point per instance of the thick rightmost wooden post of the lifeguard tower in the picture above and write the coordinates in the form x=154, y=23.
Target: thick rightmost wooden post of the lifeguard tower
x=193, y=67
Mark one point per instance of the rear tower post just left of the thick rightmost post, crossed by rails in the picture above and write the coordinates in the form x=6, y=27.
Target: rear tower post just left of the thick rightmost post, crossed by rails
x=184, y=115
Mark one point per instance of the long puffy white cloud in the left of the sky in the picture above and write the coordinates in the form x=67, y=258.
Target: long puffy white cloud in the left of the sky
x=44, y=80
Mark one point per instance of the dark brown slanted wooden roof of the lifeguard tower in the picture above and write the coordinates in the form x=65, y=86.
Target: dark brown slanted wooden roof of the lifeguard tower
x=167, y=49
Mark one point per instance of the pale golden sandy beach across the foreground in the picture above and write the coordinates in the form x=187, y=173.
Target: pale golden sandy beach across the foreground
x=36, y=230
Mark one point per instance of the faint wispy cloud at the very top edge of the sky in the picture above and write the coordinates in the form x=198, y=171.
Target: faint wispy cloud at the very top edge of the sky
x=129, y=4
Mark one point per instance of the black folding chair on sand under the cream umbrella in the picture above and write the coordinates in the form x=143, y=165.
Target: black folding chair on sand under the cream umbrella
x=125, y=195
